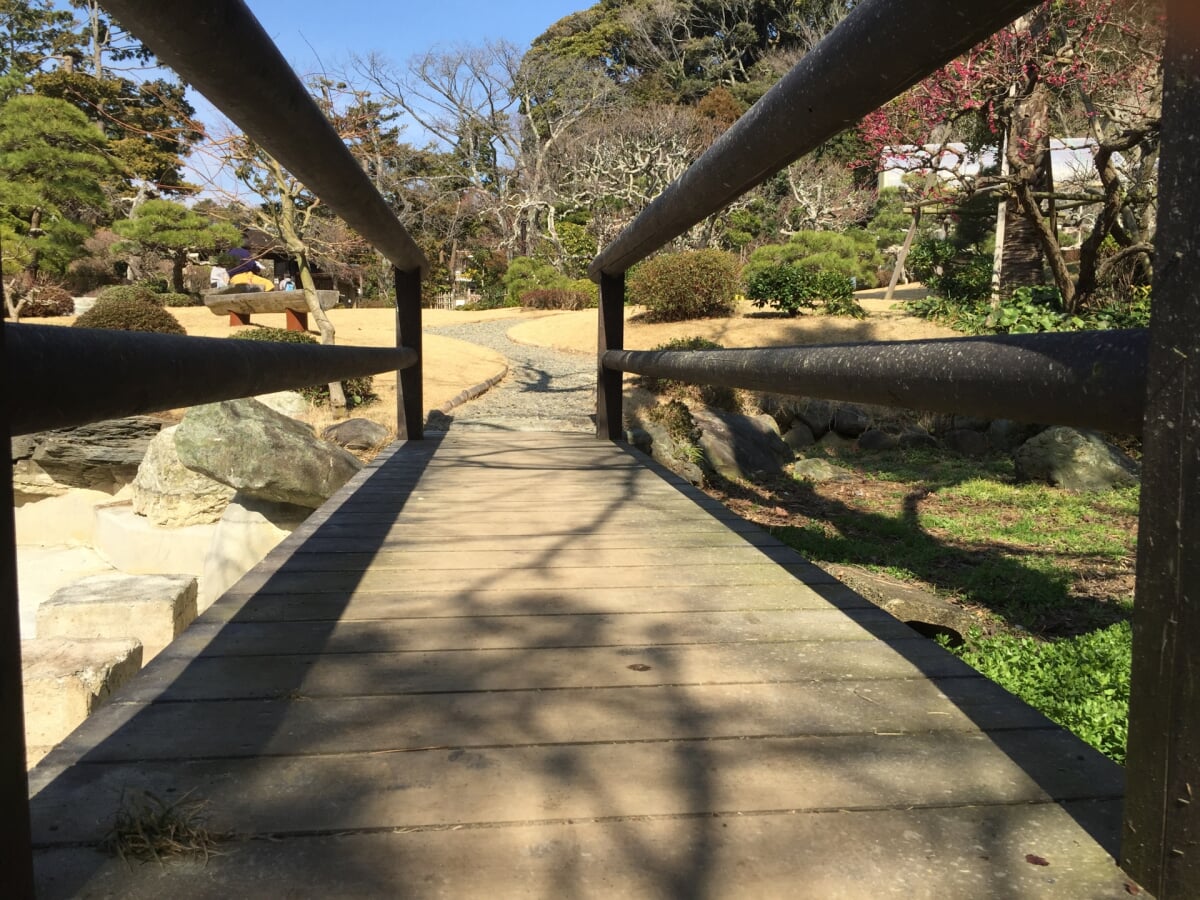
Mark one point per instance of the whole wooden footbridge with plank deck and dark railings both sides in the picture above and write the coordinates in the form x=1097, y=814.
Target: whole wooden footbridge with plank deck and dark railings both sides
x=538, y=667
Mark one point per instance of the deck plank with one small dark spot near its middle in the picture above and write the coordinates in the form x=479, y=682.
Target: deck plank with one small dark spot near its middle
x=363, y=675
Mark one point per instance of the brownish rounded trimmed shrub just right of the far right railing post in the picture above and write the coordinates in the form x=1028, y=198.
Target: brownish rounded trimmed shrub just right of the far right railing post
x=694, y=285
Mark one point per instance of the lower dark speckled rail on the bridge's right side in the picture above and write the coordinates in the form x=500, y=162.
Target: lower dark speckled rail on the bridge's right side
x=1093, y=380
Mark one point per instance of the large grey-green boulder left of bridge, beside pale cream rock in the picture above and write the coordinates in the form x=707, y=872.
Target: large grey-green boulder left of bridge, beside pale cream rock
x=263, y=454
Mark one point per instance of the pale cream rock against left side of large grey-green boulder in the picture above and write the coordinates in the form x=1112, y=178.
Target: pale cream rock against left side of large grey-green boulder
x=170, y=494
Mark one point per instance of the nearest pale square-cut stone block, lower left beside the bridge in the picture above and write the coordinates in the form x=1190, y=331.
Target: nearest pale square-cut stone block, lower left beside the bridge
x=67, y=681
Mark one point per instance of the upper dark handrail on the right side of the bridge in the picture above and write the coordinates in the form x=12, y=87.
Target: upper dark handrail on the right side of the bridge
x=881, y=49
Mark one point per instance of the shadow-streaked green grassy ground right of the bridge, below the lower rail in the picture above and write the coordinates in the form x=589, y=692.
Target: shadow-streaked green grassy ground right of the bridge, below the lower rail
x=1048, y=572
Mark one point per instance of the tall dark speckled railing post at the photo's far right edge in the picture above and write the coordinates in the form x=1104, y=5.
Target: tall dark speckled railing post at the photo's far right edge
x=1161, y=845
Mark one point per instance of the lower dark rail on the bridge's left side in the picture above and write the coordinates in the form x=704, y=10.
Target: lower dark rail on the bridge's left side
x=92, y=375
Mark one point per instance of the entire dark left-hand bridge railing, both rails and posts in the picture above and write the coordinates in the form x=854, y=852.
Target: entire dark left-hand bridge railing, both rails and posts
x=64, y=377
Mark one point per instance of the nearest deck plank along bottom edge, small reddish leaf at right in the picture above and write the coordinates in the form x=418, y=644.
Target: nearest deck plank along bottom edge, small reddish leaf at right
x=919, y=855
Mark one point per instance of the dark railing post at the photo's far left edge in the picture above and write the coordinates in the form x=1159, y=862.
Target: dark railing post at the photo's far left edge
x=16, y=859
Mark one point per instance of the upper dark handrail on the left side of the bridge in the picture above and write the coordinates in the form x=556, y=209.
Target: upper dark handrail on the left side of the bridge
x=224, y=52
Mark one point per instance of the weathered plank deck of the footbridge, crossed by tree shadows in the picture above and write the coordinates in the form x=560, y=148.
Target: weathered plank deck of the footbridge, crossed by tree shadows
x=532, y=665
